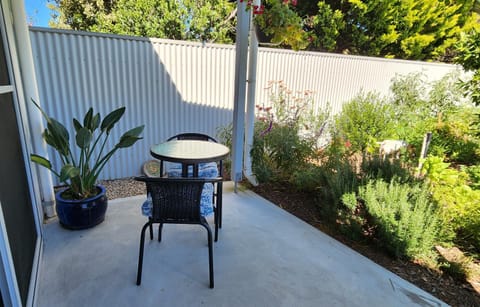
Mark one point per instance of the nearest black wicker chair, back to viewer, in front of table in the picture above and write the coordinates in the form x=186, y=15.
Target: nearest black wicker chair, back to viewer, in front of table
x=175, y=201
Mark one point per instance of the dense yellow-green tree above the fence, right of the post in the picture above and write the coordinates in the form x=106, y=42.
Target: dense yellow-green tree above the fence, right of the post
x=408, y=29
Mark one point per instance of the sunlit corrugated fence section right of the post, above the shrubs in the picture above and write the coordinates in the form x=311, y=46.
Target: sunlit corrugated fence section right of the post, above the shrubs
x=335, y=78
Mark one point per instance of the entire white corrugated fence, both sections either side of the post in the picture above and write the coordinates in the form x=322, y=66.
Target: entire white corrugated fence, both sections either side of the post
x=175, y=86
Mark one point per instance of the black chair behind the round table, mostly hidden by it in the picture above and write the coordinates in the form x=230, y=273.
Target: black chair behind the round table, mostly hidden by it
x=217, y=196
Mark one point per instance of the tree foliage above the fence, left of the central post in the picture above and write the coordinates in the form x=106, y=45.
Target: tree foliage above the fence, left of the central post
x=203, y=20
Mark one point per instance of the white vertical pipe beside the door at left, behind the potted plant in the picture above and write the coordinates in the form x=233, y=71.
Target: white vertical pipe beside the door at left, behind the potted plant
x=44, y=186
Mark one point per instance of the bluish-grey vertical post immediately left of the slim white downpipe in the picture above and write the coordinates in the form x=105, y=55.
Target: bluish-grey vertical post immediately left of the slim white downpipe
x=241, y=55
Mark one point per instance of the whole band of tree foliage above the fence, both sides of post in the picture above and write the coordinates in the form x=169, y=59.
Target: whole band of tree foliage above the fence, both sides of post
x=407, y=29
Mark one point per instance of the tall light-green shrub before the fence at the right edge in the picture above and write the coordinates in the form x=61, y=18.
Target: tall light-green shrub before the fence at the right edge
x=437, y=107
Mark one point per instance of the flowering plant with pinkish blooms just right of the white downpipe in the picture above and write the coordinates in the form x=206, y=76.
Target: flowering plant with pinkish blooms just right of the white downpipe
x=286, y=132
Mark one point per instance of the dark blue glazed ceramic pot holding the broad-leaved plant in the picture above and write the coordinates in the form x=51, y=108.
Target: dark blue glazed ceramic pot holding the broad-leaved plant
x=81, y=214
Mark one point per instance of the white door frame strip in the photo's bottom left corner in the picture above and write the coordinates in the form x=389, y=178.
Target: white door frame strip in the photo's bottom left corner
x=8, y=279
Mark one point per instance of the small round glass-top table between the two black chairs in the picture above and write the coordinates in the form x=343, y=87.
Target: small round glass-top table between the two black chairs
x=189, y=152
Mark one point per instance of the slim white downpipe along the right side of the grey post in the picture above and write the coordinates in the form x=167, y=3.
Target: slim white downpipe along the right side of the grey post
x=250, y=119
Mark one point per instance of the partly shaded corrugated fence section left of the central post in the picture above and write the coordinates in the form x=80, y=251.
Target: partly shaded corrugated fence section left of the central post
x=168, y=86
